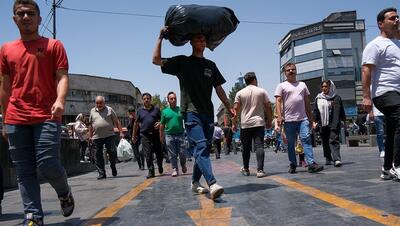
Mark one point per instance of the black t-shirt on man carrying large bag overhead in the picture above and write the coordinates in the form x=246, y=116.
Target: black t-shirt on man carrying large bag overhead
x=197, y=76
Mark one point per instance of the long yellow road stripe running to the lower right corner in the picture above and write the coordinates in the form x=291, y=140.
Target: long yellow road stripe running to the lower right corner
x=353, y=207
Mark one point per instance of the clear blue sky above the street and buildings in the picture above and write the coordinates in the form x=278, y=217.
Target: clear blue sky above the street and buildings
x=121, y=46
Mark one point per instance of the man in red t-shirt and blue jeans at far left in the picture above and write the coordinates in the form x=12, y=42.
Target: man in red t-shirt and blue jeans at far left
x=35, y=83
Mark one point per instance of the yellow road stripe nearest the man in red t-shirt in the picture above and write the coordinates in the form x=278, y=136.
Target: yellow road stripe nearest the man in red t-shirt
x=117, y=205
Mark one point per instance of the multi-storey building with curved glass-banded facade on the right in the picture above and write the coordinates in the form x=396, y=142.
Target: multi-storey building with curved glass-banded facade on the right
x=330, y=49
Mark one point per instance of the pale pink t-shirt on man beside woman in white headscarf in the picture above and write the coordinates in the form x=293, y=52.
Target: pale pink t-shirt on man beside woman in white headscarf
x=293, y=95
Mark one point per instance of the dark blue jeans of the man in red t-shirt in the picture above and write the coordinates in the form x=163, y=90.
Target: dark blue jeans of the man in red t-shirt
x=37, y=147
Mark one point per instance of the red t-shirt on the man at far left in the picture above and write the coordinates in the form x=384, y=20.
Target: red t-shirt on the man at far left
x=32, y=67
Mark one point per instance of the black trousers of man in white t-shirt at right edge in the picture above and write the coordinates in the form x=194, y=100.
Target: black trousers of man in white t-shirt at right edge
x=389, y=105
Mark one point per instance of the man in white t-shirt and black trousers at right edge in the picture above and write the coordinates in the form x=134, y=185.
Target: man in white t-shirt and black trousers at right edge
x=381, y=71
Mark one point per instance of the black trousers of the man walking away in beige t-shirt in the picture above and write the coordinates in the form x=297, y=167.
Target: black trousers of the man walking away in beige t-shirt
x=253, y=135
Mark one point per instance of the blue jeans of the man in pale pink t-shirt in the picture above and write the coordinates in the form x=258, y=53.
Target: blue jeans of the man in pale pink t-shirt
x=303, y=129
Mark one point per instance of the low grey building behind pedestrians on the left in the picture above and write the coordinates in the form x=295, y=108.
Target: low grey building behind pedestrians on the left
x=83, y=89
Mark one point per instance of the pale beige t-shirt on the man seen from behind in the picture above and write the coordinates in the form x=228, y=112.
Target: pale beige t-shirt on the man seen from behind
x=252, y=100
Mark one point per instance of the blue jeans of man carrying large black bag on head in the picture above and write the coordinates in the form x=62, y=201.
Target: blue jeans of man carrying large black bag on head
x=200, y=129
